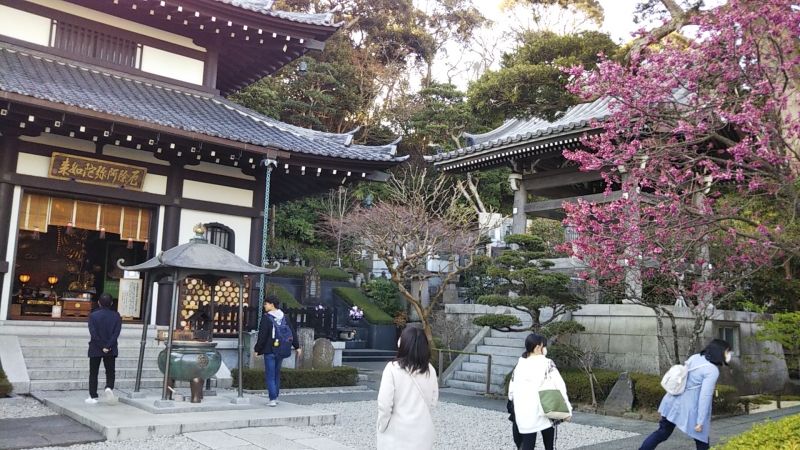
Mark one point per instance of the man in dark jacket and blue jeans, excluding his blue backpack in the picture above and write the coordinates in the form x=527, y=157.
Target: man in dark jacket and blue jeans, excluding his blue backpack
x=264, y=346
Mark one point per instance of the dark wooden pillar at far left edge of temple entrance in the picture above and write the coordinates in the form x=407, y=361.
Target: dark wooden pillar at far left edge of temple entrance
x=9, y=147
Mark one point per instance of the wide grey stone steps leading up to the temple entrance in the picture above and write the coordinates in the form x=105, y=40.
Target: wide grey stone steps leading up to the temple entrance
x=54, y=355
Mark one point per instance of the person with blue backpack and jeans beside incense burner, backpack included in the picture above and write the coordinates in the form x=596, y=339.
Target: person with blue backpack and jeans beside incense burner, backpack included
x=276, y=338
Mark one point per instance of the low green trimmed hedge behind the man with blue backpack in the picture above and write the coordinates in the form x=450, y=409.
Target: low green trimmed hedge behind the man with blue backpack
x=299, y=378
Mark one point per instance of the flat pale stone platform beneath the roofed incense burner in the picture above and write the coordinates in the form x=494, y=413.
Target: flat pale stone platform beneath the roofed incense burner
x=118, y=421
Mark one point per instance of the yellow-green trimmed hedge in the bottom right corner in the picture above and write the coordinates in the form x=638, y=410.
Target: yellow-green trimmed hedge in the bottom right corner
x=783, y=434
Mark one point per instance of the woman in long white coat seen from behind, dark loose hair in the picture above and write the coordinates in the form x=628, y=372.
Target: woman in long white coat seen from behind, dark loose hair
x=409, y=389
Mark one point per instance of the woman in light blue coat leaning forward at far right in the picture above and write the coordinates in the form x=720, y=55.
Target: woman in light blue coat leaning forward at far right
x=691, y=410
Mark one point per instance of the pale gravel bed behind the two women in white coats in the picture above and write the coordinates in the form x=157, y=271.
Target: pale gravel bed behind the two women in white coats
x=457, y=426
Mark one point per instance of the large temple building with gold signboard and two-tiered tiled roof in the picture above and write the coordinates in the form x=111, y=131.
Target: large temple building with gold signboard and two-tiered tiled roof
x=115, y=140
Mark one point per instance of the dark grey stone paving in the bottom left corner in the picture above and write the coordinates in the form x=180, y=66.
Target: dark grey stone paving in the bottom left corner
x=44, y=431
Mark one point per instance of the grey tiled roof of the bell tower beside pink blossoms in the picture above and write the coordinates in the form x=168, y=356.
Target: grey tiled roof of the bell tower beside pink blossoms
x=525, y=131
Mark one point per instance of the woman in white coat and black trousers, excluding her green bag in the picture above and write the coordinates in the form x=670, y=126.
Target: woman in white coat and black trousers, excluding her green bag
x=532, y=371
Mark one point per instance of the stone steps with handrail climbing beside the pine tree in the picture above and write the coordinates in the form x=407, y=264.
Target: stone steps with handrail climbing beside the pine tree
x=470, y=371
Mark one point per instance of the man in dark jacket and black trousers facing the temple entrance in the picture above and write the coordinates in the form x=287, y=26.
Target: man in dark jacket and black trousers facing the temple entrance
x=105, y=325
